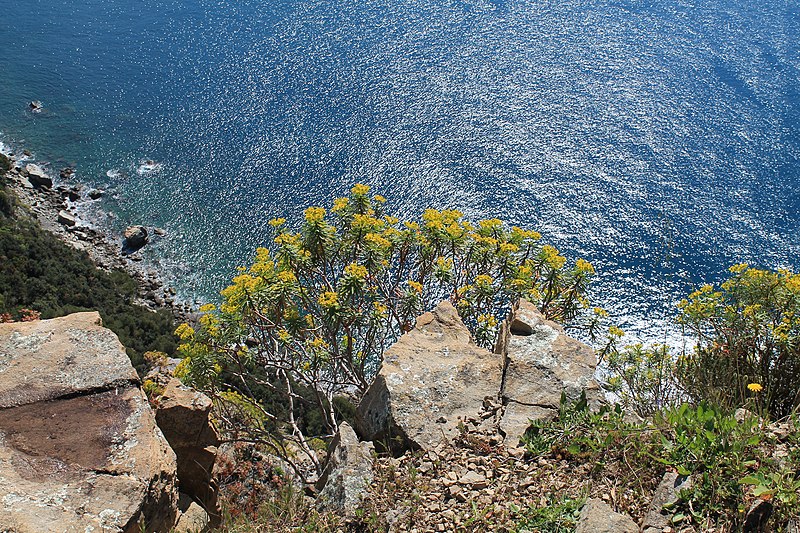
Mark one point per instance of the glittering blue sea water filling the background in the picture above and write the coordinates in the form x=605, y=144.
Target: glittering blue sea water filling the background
x=659, y=140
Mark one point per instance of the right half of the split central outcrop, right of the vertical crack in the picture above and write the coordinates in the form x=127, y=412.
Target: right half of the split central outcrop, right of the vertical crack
x=541, y=362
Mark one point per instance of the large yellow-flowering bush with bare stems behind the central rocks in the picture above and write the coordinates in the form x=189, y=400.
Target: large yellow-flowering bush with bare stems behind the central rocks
x=317, y=311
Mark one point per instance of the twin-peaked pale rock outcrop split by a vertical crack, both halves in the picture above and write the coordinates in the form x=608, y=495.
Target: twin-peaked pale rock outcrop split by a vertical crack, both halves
x=435, y=377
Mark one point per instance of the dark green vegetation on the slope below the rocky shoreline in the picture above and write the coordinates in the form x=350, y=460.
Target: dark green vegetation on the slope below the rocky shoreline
x=39, y=272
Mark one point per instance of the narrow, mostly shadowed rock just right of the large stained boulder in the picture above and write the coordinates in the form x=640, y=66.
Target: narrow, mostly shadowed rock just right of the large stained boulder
x=183, y=416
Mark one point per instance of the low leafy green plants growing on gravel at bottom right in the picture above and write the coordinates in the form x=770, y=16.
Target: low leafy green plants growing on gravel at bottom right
x=730, y=460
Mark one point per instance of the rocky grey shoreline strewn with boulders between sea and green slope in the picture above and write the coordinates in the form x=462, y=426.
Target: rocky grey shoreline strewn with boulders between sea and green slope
x=54, y=204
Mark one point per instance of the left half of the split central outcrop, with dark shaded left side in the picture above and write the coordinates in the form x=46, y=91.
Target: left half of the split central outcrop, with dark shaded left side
x=433, y=372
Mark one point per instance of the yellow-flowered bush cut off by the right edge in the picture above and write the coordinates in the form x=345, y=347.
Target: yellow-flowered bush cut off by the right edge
x=747, y=337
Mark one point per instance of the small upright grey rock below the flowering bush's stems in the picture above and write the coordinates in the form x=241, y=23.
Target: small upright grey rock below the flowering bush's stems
x=347, y=475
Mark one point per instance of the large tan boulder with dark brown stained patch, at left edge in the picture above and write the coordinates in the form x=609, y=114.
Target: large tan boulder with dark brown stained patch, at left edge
x=79, y=445
